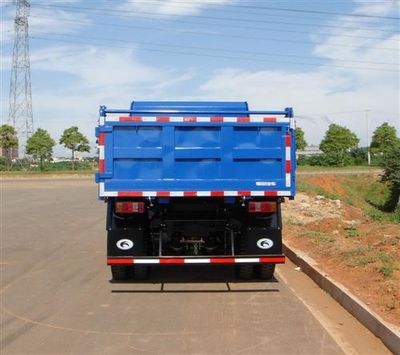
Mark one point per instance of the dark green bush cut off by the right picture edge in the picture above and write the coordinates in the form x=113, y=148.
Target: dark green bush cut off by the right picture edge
x=391, y=168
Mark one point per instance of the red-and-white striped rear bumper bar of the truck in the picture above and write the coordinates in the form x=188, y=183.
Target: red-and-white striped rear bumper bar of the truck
x=243, y=259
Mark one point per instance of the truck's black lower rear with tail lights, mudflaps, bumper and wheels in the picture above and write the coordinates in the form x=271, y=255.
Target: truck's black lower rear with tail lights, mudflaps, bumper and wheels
x=145, y=232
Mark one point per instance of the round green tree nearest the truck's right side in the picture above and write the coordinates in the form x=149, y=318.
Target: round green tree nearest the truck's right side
x=337, y=143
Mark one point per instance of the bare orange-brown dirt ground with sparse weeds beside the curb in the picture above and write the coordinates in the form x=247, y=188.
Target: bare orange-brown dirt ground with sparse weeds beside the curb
x=362, y=254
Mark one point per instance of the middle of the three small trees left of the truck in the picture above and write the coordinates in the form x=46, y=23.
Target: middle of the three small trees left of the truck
x=40, y=146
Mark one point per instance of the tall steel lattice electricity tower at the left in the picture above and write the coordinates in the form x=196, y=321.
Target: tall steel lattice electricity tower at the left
x=20, y=113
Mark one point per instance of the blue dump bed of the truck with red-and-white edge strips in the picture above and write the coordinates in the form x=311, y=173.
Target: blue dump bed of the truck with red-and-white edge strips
x=189, y=149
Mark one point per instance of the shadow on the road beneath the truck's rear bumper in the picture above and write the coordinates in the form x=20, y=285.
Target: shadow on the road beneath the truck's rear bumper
x=223, y=275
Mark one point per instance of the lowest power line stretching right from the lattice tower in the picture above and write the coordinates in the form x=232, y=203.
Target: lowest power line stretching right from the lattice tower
x=202, y=54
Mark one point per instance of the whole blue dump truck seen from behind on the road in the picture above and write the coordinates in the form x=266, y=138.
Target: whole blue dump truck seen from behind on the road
x=195, y=183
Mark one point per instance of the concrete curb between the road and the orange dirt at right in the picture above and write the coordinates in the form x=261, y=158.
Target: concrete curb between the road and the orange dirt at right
x=389, y=334
